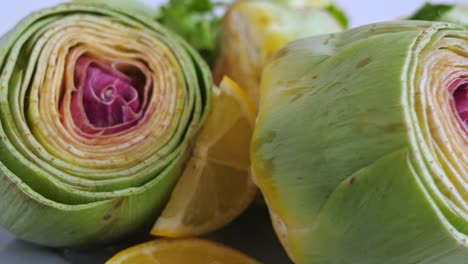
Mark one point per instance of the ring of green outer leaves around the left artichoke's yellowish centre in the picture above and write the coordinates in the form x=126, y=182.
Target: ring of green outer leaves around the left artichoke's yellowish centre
x=37, y=206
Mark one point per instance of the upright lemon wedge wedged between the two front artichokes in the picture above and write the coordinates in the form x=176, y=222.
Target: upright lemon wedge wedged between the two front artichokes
x=216, y=186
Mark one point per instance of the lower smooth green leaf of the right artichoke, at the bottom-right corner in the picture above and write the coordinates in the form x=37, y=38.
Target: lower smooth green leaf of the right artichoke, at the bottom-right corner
x=385, y=207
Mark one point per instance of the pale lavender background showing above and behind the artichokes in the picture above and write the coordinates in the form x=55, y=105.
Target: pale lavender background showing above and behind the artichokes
x=360, y=11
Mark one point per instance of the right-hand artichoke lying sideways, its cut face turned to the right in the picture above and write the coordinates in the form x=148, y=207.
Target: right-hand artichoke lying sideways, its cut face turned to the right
x=360, y=147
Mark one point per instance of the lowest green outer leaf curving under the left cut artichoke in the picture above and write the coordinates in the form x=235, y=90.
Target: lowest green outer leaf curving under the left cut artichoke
x=34, y=218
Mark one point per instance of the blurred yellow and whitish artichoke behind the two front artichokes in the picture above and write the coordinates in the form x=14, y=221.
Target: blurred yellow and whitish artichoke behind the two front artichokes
x=252, y=31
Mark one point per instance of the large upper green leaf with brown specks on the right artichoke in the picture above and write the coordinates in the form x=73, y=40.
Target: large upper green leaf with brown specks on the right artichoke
x=332, y=69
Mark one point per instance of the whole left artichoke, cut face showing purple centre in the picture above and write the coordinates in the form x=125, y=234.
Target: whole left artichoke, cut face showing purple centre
x=98, y=109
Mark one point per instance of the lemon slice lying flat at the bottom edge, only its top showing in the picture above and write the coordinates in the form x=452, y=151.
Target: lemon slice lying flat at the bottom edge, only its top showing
x=193, y=251
